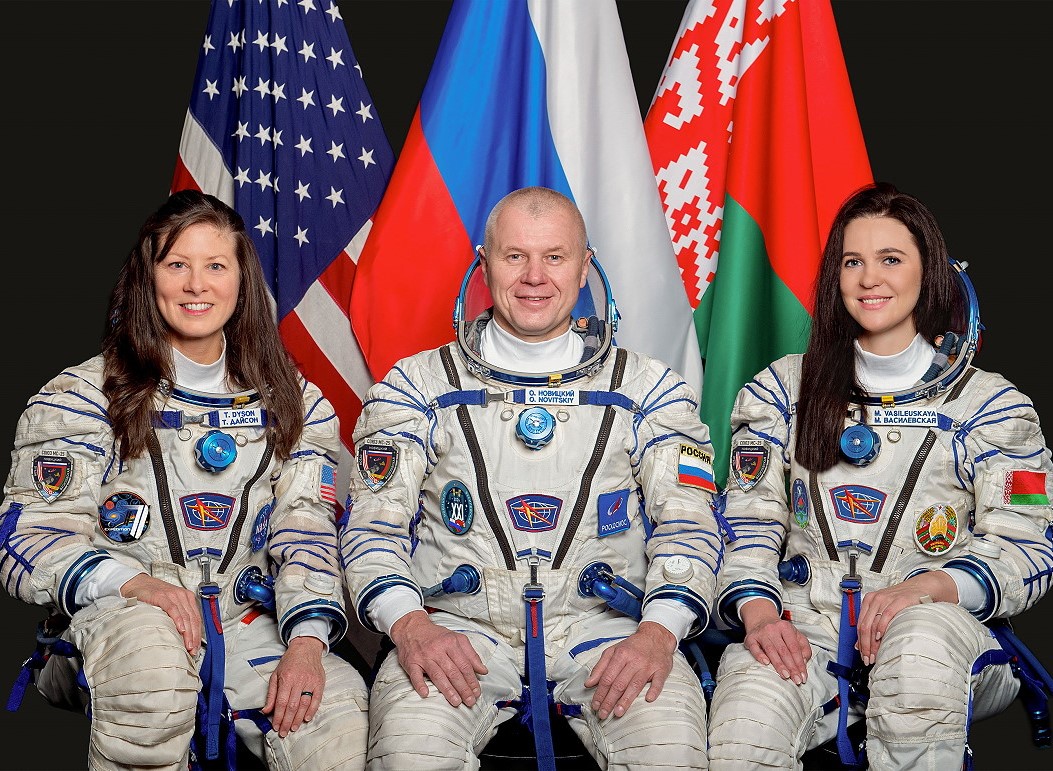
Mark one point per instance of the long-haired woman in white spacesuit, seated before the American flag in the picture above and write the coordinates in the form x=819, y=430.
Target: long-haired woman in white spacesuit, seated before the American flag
x=172, y=503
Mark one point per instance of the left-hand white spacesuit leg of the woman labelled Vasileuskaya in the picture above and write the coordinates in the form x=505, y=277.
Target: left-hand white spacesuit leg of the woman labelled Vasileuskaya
x=757, y=720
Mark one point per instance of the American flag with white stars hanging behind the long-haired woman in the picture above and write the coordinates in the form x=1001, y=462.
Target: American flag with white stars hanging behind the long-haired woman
x=282, y=127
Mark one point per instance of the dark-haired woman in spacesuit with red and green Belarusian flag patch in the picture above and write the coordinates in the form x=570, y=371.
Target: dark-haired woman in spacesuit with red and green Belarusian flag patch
x=888, y=509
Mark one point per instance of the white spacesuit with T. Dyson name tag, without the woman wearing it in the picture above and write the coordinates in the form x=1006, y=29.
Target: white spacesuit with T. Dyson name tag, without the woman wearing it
x=250, y=529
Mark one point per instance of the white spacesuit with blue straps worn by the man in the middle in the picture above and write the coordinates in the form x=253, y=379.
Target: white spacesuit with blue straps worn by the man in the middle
x=535, y=483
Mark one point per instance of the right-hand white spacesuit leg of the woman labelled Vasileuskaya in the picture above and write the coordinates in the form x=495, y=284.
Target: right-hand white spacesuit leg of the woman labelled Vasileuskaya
x=922, y=684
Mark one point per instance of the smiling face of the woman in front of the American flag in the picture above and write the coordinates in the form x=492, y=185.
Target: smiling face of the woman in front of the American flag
x=196, y=287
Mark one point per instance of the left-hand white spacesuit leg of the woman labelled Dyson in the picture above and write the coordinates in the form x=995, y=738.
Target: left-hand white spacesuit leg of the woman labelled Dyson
x=143, y=682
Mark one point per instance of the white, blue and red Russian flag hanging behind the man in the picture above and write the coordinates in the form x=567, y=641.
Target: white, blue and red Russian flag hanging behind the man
x=522, y=94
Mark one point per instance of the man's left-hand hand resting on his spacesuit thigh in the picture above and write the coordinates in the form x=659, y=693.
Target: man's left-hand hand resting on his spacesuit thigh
x=446, y=658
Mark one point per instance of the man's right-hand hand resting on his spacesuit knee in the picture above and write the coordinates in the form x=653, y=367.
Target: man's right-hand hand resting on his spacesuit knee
x=625, y=668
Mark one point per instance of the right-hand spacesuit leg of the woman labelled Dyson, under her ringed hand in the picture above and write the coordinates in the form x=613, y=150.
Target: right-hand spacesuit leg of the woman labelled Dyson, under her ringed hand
x=336, y=738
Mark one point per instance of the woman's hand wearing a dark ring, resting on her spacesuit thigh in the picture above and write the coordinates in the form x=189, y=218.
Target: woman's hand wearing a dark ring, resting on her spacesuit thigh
x=294, y=694
